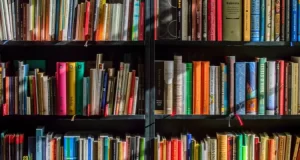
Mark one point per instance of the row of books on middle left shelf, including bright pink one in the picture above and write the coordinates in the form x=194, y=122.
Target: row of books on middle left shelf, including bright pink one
x=105, y=91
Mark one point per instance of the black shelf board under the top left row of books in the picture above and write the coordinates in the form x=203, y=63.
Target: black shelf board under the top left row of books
x=71, y=43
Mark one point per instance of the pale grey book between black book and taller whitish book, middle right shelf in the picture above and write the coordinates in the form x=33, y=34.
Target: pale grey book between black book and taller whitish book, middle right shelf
x=168, y=86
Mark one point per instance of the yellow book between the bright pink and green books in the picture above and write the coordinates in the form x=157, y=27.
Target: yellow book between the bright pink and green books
x=71, y=87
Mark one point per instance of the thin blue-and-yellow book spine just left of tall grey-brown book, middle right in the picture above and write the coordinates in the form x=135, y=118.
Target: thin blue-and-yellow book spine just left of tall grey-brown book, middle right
x=224, y=99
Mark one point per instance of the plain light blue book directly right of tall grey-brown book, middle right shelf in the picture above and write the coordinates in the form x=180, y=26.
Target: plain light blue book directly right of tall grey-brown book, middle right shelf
x=240, y=87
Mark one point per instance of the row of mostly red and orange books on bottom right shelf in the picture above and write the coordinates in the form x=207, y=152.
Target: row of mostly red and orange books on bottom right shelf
x=228, y=146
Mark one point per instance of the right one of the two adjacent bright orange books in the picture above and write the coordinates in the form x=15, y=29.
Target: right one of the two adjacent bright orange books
x=205, y=86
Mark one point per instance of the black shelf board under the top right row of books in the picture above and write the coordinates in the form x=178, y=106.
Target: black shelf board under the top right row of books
x=222, y=44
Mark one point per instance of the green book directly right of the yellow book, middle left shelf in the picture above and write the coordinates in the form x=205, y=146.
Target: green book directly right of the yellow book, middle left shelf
x=79, y=87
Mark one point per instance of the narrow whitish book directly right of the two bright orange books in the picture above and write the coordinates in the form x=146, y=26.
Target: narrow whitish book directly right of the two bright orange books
x=212, y=86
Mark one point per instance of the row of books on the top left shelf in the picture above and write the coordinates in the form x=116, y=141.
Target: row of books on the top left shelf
x=67, y=20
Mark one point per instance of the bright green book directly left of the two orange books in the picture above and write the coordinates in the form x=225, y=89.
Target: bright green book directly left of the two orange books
x=189, y=89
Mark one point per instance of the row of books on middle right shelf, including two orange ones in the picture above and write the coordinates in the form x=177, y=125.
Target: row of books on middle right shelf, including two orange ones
x=259, y=87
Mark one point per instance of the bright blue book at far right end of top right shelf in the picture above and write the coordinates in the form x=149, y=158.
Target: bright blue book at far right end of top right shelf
x=294, y=18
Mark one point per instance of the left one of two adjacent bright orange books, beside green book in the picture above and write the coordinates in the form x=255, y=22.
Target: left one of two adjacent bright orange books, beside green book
x=196, y=87
